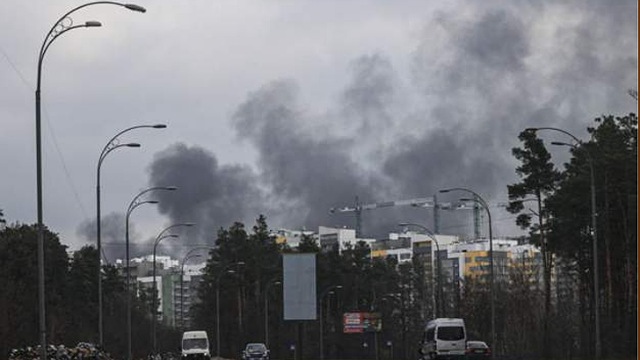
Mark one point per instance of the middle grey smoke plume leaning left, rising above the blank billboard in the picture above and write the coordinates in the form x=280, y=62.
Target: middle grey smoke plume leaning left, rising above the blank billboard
x=310, y=173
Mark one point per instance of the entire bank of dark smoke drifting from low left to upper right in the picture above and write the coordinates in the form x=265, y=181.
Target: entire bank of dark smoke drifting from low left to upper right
x=472, y=91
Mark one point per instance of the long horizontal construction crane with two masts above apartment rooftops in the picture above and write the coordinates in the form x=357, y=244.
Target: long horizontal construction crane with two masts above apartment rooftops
x=430, y=202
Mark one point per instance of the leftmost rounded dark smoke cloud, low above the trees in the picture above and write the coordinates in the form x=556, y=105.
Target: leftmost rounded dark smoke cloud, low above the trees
x=209, y=194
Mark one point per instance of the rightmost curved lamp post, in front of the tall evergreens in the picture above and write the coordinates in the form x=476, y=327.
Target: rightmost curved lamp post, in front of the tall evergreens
x=594, y=232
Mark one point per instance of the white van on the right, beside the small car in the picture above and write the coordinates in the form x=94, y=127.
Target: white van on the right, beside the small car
x=444, y=338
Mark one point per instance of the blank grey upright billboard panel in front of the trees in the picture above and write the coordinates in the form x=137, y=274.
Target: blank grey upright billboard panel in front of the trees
x=299, y=286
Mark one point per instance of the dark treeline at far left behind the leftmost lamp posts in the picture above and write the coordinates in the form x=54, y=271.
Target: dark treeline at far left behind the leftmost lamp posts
x=71, y=298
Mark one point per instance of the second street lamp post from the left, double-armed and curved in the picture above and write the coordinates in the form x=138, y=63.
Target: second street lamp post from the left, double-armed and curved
x=113, y=144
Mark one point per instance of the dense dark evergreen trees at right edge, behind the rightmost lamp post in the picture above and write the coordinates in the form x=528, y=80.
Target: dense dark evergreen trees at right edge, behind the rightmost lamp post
x=612, y=152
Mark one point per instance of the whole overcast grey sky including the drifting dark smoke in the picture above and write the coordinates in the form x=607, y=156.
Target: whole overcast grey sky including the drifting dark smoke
x=290, y=108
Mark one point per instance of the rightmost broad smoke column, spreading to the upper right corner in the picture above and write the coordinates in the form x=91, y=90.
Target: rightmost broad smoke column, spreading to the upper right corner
x=487, y=73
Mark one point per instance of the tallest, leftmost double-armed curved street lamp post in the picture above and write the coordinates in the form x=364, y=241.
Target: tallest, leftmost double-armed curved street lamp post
x=61, y=26
